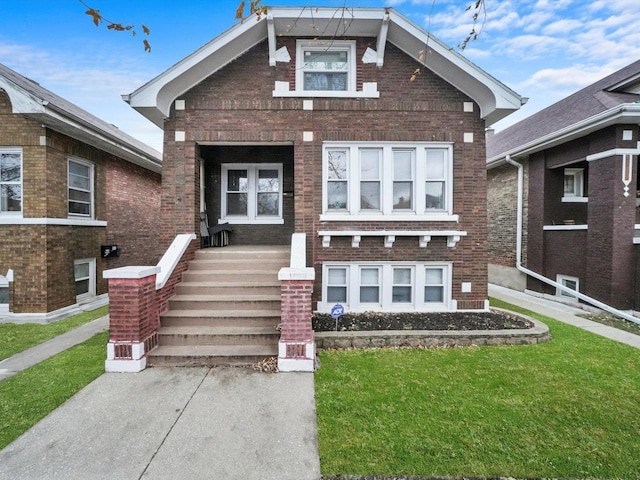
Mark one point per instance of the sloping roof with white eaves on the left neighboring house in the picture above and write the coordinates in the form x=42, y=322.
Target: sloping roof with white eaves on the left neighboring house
x=30, y=99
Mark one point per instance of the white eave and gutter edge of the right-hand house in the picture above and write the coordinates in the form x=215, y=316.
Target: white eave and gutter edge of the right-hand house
x=625, y=114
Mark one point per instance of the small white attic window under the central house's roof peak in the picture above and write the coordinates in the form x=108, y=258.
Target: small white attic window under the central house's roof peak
x=325, y=66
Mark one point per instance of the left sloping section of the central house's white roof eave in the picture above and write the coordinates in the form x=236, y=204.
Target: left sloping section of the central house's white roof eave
x=160, y=92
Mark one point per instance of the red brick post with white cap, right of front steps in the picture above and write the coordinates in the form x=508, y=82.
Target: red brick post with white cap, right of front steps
x=296, y=349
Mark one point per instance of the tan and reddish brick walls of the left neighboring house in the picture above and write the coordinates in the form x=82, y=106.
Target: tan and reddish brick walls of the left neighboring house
x=42, y=256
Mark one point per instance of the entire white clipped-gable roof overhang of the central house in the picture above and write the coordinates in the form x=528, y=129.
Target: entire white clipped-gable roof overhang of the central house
x=154, y=99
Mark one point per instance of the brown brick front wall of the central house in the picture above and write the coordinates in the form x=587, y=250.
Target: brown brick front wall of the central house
x=236, y=105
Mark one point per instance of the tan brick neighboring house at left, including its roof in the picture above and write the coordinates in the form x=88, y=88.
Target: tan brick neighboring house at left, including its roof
x=70, y=184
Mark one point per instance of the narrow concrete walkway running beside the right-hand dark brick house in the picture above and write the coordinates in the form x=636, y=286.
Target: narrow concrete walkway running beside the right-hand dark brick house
x=562, y=312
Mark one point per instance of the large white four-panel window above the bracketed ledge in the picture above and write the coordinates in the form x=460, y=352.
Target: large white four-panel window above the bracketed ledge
x=412, y=181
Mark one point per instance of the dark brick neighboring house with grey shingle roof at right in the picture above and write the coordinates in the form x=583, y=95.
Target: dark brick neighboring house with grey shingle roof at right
x=580, y=220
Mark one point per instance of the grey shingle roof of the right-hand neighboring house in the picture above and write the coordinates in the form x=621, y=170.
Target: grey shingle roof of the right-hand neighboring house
x=611, y=100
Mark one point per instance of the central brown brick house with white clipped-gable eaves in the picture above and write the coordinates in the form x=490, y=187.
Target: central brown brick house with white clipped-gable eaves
x=307, y=120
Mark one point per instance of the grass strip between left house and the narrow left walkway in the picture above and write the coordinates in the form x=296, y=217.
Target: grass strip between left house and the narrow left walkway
x=18, y=337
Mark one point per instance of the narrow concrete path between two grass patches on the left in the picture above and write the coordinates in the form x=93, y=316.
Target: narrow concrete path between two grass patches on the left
x=34, y=355
